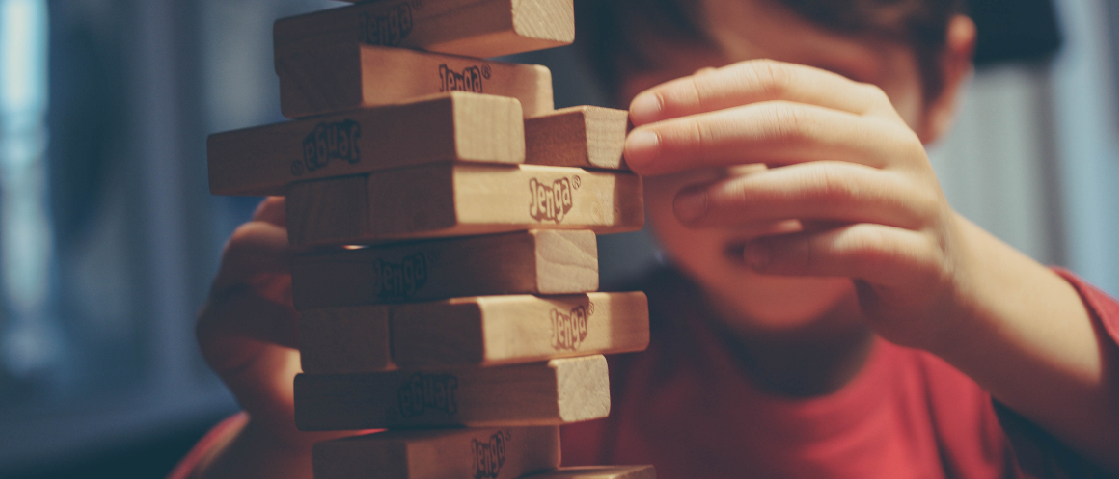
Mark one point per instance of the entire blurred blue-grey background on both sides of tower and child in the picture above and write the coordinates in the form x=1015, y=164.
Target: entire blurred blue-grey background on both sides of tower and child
x=109, y=237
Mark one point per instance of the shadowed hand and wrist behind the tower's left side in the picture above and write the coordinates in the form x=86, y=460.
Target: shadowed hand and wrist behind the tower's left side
x=248, y=333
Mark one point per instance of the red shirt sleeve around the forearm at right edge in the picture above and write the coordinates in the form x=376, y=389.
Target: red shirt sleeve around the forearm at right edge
x=1039, y=454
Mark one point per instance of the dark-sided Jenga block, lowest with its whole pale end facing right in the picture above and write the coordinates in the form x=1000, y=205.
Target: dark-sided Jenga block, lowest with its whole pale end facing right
x=553, y=393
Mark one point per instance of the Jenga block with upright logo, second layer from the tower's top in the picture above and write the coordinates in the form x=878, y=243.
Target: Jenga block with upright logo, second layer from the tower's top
x=350, y=77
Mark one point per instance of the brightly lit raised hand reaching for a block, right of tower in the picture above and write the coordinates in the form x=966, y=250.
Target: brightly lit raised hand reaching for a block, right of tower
x=847, y=161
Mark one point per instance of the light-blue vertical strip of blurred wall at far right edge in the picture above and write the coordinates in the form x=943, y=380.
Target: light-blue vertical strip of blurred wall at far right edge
x=1086, y=112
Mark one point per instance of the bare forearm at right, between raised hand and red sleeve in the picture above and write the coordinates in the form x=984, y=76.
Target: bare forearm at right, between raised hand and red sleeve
x=1028, y=339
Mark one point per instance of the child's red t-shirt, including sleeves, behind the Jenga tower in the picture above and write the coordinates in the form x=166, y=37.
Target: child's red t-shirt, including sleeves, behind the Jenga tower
x=685, y=407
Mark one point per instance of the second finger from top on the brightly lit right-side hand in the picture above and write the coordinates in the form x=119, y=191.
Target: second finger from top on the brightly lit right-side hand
x=770, y=133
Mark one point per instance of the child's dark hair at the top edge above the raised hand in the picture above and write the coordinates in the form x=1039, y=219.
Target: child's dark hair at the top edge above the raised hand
x=609, y=30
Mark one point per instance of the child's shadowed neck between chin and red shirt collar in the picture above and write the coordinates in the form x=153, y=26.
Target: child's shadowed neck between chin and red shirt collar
x=812, y=361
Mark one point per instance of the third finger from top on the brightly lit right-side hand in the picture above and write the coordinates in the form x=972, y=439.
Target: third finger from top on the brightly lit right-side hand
x=826, y=191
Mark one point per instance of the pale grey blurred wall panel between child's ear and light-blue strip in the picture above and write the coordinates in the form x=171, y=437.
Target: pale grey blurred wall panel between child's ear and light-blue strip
x=998, y=165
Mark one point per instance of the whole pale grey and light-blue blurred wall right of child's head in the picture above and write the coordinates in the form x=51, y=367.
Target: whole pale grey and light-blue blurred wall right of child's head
x=1035, y=156
